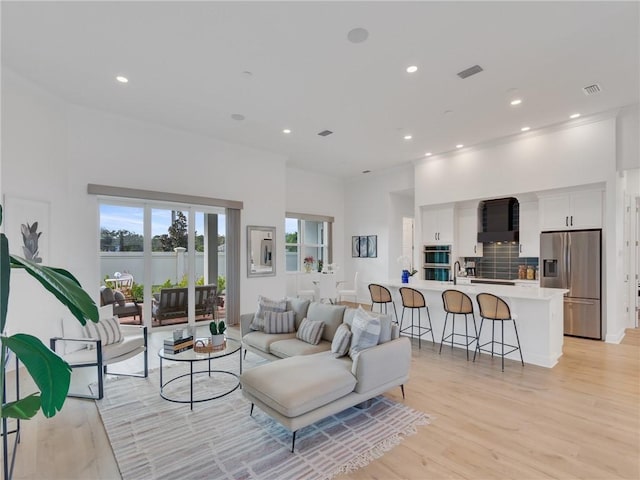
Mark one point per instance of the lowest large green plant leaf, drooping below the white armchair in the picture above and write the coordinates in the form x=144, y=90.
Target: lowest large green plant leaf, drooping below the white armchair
x=51, y=374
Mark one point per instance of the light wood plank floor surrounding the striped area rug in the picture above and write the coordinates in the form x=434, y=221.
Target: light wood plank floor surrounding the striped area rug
x=580, y=419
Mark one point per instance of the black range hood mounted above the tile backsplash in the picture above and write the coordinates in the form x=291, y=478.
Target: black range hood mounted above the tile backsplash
x=498, y=223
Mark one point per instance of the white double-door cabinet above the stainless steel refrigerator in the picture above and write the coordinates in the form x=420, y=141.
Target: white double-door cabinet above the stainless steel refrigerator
x=571, y=211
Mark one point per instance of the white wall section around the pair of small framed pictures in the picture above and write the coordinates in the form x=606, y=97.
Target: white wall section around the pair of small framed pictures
x=372, y=207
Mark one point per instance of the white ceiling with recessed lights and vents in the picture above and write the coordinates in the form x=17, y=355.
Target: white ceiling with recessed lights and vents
x=185, y=62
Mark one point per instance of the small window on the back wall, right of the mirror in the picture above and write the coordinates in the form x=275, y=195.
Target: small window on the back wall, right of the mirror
x=307, y=236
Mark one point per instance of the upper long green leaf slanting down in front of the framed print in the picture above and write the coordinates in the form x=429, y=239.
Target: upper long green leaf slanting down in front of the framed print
x=63, y=285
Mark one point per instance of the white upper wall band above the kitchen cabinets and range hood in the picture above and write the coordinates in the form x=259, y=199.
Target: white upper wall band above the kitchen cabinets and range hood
x=540, y=161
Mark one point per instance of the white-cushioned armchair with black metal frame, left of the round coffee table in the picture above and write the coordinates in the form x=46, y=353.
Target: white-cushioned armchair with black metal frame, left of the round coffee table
x=99, y=351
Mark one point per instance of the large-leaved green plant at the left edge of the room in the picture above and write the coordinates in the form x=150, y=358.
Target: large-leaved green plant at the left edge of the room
x=51, y=374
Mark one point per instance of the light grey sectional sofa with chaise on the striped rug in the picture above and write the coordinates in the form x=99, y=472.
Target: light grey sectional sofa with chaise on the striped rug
x=308, y=382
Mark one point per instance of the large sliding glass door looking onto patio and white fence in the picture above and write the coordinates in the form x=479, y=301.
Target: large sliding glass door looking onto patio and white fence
x=175, y=254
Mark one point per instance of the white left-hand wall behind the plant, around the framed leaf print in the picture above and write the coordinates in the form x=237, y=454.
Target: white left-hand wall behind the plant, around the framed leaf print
x=34, y=152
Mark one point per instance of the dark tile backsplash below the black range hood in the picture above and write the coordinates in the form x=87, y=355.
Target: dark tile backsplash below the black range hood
x=500, y=261
